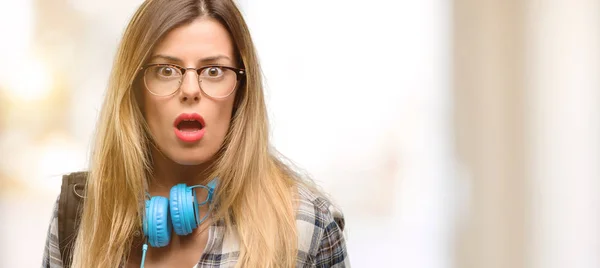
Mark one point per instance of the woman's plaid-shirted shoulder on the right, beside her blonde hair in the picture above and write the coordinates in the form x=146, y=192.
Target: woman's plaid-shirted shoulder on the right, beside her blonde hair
x=321, y=225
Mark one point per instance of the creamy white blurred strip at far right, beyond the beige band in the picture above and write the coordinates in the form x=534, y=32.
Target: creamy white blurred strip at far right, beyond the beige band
x=564, y=75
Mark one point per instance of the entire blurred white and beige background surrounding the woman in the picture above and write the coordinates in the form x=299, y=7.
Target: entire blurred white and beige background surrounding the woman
x=459, y=133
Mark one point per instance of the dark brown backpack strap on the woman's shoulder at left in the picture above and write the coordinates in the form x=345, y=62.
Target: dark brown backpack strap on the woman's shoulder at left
x=69, y=211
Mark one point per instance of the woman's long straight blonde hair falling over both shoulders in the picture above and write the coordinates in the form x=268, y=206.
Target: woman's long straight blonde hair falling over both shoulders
x=256, y=189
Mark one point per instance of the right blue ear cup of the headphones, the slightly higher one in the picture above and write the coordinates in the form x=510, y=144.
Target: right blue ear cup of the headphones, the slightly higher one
x=182, y=204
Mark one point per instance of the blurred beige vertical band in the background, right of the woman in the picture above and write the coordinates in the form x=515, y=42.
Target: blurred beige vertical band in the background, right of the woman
x=488, y=88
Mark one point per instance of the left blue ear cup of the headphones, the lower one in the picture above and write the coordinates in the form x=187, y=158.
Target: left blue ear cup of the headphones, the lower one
x=157, y=223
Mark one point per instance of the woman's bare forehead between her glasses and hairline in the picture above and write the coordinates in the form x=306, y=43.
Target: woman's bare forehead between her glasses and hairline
x=203, y=37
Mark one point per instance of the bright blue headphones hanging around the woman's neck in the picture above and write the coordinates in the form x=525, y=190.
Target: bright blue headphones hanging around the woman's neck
x=179, y=213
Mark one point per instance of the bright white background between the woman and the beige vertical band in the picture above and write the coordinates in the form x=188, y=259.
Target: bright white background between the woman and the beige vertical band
x=359, y=96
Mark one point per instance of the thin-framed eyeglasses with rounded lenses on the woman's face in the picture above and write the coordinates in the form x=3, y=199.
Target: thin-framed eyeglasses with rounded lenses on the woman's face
x=214, y=80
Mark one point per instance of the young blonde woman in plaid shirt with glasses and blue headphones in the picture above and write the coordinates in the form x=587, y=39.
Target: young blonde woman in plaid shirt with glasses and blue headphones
x=182, y=173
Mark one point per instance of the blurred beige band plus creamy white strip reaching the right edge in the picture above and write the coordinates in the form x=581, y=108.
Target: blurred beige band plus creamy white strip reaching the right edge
x=527, y=97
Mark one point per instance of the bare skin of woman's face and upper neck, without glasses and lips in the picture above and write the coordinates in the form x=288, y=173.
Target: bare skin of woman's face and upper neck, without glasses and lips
x=175, y=160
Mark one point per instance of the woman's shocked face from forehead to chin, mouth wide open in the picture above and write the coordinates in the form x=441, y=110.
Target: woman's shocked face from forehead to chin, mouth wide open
x=188, y=126
